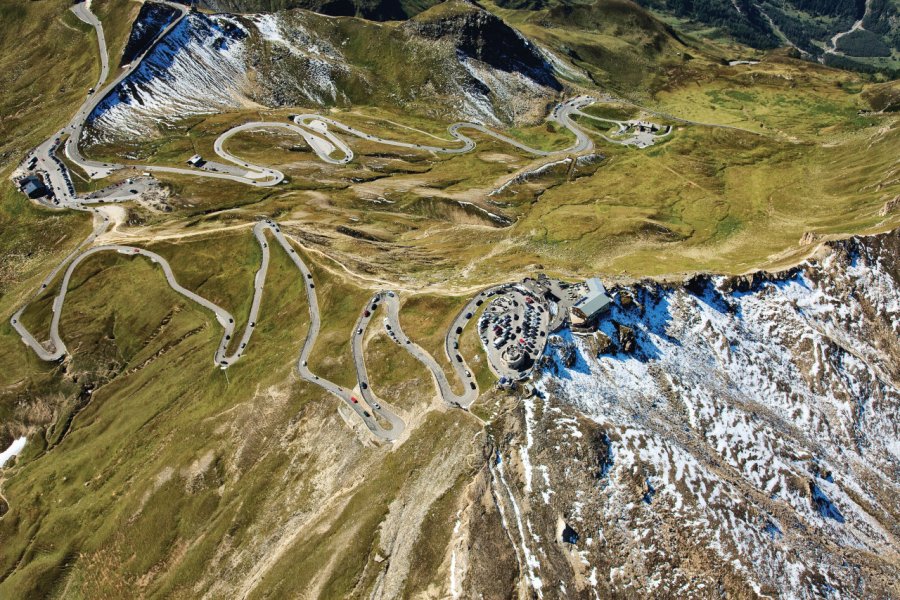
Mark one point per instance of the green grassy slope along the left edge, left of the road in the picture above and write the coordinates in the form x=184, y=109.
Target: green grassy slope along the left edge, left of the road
x=43, y=81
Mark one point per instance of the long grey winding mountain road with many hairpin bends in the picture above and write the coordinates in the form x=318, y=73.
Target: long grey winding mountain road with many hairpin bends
x=317, y=131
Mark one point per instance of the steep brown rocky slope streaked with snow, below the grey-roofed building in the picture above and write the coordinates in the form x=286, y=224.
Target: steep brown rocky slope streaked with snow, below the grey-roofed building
x=748, y=445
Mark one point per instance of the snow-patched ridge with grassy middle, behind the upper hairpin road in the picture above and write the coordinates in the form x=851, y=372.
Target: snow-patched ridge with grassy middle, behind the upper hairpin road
x=212, y=63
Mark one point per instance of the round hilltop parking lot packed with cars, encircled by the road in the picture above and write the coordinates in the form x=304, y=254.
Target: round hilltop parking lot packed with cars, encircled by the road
x=513, y=331
